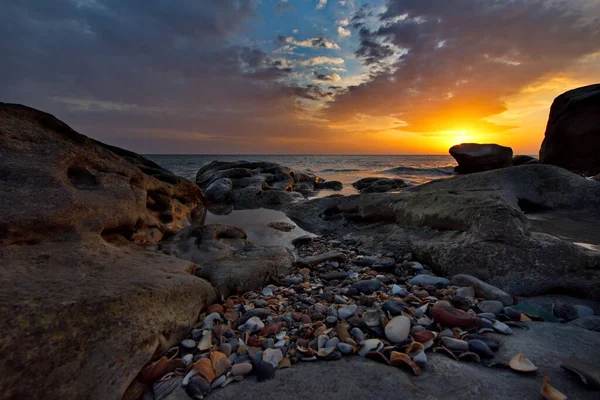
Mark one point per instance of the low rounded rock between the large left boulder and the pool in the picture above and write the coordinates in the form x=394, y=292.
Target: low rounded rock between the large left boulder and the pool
x=227, y=259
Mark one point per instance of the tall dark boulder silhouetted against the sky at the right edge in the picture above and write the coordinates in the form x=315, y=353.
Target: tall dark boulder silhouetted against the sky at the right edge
x=572, y=138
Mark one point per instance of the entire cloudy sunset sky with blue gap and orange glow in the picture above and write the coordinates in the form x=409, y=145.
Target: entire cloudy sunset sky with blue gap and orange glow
x=299, y=76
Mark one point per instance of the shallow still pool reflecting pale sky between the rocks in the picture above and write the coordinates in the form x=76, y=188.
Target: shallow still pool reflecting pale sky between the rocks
x=254, y=223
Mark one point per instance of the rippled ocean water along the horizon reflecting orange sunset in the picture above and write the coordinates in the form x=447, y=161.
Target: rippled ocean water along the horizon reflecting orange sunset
x=414, y=170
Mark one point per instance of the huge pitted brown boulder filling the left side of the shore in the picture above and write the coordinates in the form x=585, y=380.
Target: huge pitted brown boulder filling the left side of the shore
x=83, y=306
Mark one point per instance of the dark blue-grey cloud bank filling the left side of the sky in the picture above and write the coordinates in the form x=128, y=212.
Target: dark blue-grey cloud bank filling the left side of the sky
x=113, y=68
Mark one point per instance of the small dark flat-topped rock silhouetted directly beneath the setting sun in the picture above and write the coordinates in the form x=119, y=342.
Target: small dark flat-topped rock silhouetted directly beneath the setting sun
x=475, y=157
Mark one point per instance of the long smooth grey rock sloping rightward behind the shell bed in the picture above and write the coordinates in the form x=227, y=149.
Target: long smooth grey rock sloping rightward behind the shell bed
x=475, y=225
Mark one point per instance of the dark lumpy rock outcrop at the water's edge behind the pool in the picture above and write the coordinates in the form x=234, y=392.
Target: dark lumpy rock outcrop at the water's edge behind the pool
x=257, y=184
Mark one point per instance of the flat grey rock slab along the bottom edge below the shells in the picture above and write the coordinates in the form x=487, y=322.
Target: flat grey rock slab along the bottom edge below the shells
x=357, y=378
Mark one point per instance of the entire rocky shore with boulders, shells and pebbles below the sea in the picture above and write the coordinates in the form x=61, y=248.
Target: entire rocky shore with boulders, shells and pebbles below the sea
x=114, y=287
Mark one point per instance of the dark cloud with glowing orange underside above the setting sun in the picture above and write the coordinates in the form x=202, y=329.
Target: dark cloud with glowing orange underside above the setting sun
x=456, y=61
